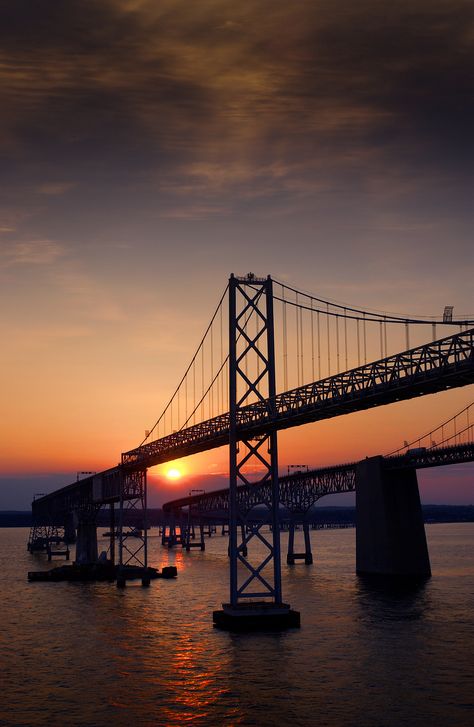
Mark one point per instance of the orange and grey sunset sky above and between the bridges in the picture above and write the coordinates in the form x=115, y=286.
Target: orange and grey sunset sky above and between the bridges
x=149, y=148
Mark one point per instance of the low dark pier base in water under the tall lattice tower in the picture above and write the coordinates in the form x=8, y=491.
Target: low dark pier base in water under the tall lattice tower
x=260, y=616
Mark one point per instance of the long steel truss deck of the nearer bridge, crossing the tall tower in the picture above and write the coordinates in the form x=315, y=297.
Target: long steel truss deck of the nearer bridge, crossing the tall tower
x=443, y=364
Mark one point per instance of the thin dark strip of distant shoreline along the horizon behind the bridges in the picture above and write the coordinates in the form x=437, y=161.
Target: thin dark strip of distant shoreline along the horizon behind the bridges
x=321, y=515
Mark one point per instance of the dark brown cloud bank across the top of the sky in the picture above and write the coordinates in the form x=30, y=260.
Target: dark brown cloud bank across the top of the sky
x=264, y=98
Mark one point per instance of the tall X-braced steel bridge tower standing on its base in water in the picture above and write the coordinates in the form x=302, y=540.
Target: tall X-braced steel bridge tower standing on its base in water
x=255, y=564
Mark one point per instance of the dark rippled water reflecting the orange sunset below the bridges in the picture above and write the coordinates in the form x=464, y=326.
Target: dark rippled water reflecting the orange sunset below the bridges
x=91, y=654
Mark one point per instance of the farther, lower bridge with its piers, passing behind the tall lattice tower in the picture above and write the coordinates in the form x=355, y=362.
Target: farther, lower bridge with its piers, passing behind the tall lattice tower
x=299, y=492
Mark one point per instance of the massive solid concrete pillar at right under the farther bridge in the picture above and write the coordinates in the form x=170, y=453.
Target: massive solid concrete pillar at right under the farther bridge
x=390, y=534
